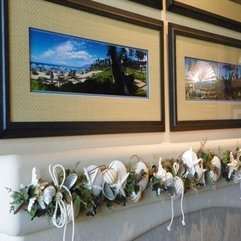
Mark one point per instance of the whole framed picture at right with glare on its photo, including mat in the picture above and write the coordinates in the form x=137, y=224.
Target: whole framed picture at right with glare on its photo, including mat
x=204, y=80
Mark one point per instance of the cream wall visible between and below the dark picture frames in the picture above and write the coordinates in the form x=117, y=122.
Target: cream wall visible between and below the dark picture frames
x=50, y=144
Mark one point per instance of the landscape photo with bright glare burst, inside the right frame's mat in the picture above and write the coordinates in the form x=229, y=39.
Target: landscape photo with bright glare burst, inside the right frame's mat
x=209, y=80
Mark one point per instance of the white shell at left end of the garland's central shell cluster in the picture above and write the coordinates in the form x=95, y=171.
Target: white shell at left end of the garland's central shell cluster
x=97, y=179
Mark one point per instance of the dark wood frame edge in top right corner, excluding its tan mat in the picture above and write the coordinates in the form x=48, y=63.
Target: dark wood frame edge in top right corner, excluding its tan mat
x=202, y=15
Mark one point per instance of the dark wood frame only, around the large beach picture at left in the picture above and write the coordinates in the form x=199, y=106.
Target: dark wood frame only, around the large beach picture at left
x=12, y=129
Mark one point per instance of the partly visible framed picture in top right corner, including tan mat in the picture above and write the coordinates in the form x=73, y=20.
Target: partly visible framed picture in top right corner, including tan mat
x=226, y=14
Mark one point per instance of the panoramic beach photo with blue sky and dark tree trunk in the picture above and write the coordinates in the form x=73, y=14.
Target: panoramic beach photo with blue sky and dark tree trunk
x=67, y=64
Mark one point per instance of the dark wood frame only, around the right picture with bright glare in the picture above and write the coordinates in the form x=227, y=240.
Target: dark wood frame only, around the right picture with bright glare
x=175, y=30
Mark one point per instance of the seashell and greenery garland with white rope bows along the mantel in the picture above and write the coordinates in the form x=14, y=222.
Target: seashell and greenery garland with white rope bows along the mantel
x=71, y=192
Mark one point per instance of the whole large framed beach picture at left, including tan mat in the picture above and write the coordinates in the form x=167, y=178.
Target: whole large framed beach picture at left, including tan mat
x=88, y=69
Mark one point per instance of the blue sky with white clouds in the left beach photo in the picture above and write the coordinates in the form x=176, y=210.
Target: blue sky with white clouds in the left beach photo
x=53, y=48
